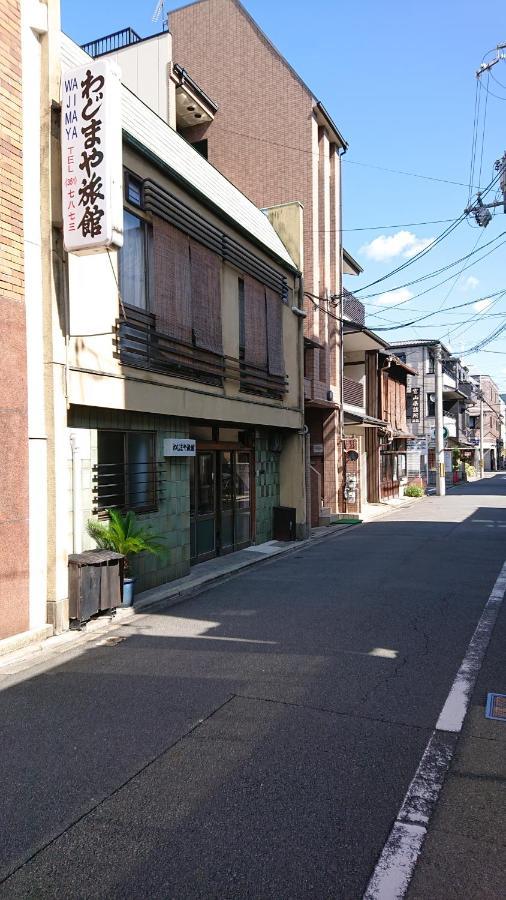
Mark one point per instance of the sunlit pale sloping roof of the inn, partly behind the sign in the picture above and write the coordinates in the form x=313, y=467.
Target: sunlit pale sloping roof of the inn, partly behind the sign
x=148, y=129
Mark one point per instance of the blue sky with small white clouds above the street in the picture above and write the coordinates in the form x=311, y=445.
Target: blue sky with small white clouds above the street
x=398, y=79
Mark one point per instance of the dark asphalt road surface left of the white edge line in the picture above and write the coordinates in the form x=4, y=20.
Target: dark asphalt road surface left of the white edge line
x=257, y=740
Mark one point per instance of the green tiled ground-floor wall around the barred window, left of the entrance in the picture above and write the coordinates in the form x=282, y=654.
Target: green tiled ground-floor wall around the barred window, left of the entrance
x=172, y=518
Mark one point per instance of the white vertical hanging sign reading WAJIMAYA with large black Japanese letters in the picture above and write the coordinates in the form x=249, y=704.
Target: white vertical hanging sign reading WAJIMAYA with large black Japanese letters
x=92, y=157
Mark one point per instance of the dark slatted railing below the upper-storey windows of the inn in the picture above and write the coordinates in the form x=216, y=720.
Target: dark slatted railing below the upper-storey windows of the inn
x=140, y=345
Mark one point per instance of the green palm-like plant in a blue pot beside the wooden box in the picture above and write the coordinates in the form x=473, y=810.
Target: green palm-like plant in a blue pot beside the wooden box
x=125, y=535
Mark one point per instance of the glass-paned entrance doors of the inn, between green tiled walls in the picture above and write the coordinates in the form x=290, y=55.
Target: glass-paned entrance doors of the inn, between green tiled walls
x=220, y=503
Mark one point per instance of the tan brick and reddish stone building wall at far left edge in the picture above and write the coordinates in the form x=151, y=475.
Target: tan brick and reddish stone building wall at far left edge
x=13, y=392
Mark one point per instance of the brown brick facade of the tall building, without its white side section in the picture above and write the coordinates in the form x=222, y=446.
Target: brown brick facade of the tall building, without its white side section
x=274, y=140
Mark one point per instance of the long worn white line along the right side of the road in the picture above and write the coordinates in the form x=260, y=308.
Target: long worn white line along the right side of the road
x=394, y=870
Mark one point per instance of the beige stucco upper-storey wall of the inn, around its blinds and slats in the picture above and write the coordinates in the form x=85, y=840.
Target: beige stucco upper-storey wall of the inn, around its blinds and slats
x=96, y=378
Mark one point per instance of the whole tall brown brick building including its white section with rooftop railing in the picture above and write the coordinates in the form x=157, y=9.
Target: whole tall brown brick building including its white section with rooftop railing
x=285, y=156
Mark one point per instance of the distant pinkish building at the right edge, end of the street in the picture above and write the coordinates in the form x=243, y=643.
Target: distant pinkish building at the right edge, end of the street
x=490, y=406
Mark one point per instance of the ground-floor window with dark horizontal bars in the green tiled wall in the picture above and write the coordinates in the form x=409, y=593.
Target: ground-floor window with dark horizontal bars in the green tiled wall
x=126, y=470
